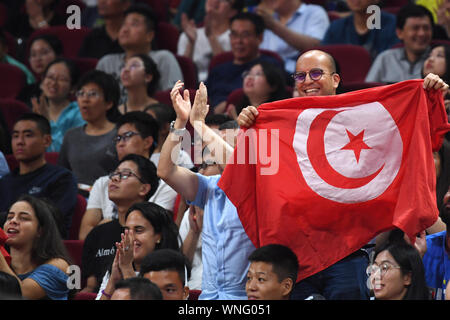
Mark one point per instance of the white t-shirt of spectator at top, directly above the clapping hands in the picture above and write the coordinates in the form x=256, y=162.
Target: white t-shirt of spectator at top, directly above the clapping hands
x=202, y=50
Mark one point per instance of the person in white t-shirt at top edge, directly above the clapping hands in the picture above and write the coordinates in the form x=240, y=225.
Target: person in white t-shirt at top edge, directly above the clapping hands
x=202, y=43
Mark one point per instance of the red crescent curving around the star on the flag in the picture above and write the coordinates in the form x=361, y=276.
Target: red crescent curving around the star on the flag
x=316, y=152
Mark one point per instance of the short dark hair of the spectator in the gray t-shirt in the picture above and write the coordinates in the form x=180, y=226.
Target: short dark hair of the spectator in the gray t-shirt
x=109, y=86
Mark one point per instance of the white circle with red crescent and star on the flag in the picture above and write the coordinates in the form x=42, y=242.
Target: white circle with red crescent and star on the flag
x=376, y=165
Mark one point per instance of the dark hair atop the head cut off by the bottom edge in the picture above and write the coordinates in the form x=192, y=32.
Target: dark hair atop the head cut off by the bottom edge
x=140, y=288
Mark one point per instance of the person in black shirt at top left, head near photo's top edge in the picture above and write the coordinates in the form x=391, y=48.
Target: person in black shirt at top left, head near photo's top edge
x=103, y=40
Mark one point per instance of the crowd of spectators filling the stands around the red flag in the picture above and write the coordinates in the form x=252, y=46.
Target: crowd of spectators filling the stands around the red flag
x=111, y=101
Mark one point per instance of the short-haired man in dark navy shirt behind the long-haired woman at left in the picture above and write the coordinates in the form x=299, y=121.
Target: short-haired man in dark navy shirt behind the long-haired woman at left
x=31, y=136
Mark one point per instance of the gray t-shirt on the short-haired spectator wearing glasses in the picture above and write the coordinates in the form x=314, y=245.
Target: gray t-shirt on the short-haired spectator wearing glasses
x=88, y=157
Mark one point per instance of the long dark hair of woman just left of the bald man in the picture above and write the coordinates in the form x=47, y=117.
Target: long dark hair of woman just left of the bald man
x=276, y=80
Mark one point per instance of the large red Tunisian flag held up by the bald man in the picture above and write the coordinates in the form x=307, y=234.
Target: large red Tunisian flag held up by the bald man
x=325, y=175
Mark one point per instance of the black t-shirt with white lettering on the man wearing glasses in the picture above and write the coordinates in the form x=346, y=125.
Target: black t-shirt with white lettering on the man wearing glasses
x=99, y=250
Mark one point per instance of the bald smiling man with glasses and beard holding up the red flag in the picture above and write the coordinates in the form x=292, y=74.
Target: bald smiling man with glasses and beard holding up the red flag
x=346, y=279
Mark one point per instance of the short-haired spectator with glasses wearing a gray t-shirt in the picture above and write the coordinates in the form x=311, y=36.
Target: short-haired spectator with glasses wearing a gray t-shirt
x=87, y=150
